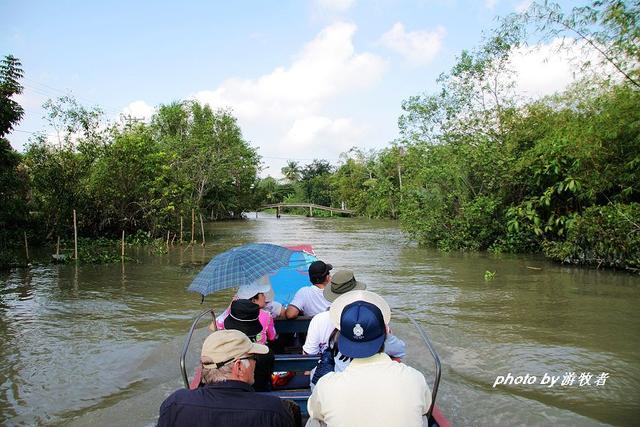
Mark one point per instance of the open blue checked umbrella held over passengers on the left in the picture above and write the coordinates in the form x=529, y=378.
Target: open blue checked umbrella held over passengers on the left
x=240, y=266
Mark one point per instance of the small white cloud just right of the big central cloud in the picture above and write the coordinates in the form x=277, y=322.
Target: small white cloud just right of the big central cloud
x=418, y=47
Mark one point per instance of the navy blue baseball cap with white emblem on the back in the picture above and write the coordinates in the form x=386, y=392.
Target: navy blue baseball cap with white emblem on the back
x=362, y=330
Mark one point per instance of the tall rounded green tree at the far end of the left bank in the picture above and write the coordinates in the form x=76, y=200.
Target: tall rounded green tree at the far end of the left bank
x=215, y=167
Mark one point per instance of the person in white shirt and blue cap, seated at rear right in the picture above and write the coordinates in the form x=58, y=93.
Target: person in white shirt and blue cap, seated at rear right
x=373, y=390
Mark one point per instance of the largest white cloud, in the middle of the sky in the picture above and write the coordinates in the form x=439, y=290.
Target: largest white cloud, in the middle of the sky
x=326, y=67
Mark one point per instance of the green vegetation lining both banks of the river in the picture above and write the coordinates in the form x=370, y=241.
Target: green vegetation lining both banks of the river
x=476, y=166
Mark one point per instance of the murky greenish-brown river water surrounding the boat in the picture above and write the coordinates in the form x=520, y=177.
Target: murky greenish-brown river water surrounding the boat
x=99, y=345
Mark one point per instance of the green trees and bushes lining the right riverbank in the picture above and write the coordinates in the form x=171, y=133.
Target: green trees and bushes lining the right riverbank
x=479, y=168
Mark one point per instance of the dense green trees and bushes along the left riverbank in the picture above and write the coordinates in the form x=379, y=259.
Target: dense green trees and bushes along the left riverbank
x=188, y=159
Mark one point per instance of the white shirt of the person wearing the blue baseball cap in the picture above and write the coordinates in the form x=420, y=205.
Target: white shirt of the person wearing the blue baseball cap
x=374, y=391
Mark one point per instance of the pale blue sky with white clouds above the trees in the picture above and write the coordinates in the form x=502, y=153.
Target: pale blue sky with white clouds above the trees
x=305, y=79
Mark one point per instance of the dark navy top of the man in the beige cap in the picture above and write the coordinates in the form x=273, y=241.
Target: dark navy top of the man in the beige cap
x=229, y=403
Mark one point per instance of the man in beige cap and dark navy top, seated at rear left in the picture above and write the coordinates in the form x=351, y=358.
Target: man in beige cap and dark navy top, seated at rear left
x=226, y=399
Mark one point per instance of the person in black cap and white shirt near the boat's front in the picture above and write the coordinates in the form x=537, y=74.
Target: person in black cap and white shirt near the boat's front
x=310, y=299
